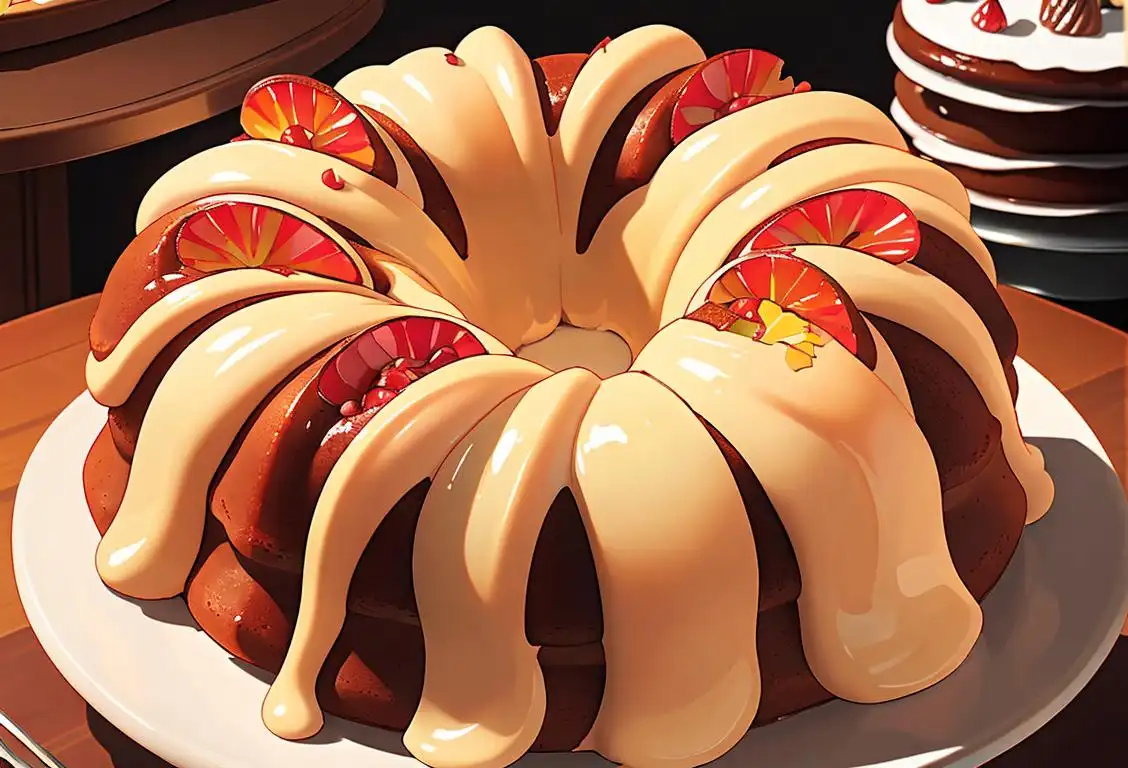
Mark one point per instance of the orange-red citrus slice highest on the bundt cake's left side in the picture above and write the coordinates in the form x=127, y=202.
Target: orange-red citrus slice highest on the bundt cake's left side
x=306, y=113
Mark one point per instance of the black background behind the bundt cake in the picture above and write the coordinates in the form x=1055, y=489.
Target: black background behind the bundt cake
x=835, y=45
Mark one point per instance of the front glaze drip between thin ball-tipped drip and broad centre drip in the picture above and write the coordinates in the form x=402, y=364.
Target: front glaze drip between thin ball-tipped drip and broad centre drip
x=473, y=555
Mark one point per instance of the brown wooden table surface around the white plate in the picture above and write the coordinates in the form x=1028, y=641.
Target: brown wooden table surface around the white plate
x=41, y=372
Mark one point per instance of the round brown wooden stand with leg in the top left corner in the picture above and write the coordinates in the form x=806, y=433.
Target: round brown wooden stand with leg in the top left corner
x=173, y=66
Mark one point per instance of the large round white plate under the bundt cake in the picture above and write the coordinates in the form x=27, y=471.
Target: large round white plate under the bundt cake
x=1050, y=624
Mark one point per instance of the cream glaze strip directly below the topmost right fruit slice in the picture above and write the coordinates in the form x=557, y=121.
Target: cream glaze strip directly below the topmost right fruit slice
x=619, y=284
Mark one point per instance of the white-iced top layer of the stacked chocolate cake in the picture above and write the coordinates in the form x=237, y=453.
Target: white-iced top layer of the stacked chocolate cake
x=1097, y=78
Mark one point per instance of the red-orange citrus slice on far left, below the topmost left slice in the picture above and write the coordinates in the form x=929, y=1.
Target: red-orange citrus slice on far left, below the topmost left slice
x=237, y=235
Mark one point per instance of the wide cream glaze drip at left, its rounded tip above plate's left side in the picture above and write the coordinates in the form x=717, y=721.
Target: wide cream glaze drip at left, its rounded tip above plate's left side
x=154, y=541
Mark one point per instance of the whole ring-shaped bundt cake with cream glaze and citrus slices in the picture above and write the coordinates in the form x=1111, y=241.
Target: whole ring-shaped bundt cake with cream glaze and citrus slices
x=615, y=402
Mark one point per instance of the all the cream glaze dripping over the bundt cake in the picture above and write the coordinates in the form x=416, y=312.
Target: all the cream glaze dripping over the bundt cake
x=836, y=446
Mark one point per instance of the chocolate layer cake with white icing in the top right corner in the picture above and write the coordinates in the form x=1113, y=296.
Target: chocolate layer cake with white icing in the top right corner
x=1027, y=103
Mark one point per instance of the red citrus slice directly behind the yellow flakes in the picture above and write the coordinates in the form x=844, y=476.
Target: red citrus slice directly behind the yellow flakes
x=795, y=286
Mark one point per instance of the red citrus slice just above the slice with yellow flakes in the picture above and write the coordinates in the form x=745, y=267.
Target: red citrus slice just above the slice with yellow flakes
x=865, y=220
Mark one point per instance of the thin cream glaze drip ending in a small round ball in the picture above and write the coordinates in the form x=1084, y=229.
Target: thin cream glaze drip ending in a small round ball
x=402, y=446
